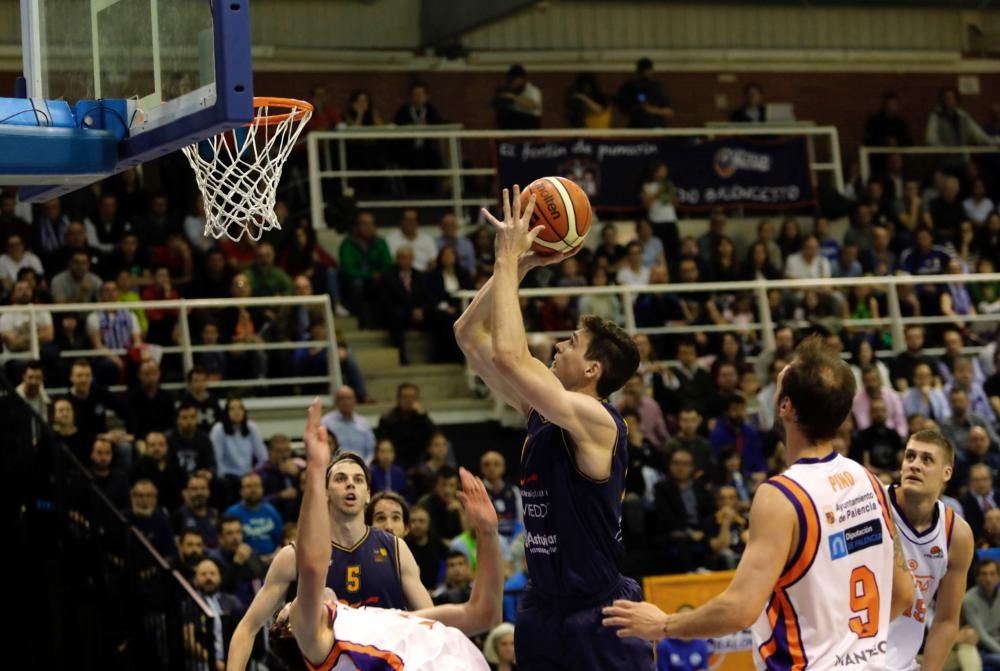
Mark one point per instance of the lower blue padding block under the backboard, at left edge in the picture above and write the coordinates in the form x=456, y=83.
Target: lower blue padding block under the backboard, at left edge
x=56, y=151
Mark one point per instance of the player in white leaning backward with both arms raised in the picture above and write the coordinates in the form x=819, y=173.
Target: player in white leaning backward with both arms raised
x=331, y=636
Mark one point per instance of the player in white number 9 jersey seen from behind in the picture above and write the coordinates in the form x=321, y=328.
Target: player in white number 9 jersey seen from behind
x=821, y=576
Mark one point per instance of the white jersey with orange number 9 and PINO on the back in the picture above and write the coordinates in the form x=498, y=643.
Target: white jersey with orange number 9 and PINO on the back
x=830, y=607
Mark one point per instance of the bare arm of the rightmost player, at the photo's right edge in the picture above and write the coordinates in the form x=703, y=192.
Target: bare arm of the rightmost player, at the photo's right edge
x=948, y=609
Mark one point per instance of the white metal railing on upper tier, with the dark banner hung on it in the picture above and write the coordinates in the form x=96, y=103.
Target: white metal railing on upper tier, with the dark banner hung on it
x=322, y=165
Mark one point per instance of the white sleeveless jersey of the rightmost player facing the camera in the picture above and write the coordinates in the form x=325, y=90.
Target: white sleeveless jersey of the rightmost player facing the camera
x=926, y=555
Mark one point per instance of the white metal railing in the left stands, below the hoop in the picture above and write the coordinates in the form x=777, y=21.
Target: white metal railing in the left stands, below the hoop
x=186, y=347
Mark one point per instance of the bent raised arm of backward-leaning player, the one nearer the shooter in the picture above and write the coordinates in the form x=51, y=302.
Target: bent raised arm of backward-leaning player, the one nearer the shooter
x=484, y=608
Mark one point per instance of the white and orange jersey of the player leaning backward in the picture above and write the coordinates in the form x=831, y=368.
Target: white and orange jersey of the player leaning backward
x=380, y=639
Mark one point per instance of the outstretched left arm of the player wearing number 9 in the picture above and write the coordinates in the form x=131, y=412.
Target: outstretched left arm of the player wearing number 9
x=772, y=525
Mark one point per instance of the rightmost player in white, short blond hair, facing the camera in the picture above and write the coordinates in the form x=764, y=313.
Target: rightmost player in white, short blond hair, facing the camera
x=938, y=547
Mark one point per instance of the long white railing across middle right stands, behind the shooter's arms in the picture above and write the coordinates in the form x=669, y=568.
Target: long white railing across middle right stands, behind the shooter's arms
x=764, y=325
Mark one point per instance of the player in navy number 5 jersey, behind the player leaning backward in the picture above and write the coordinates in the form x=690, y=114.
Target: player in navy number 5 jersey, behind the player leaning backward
x=367, y=566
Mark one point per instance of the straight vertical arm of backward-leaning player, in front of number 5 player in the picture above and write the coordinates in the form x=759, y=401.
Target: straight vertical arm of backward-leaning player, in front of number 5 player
x=312, y=630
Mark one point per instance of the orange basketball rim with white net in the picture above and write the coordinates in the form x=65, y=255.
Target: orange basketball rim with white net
x=238, y=170
